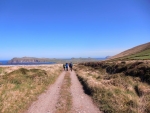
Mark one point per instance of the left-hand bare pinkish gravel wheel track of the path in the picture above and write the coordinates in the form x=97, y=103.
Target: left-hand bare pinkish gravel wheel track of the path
x=47, y=101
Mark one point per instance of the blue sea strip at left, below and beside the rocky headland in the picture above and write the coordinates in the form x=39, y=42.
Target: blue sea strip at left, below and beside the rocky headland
x=5, y=62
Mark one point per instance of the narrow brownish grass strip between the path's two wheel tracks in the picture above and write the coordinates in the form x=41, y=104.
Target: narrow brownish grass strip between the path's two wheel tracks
x=65, y=100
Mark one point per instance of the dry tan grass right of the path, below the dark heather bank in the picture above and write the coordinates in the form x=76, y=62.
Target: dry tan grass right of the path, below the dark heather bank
x=115, y=93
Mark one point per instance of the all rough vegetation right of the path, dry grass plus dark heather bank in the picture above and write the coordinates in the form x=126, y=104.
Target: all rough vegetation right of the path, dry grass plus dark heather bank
x=117, y=87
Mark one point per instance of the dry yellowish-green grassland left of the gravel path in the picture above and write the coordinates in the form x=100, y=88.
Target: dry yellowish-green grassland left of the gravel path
x=21, y=86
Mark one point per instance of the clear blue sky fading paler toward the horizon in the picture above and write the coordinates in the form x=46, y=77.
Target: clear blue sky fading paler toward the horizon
x=72, y=28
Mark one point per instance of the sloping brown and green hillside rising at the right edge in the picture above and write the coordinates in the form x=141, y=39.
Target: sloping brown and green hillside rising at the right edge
x=138, y=52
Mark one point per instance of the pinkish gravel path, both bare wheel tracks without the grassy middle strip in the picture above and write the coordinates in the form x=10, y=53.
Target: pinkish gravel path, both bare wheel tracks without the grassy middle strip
x=48, y=101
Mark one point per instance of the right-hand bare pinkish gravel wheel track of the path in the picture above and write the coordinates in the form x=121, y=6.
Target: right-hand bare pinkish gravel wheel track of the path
x=82, y=103
